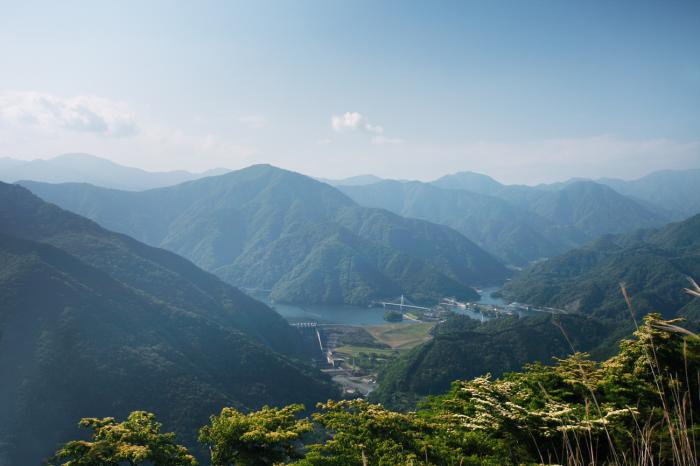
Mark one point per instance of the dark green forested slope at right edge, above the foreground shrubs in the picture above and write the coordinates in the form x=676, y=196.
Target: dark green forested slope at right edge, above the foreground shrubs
x=653, y=264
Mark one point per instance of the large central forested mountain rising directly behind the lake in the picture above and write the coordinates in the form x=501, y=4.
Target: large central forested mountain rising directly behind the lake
x=271, y=229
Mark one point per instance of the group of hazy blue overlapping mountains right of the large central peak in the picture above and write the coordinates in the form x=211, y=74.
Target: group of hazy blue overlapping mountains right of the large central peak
x=517, y=224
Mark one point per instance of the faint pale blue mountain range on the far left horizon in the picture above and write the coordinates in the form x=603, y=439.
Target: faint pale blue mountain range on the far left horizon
x=85, y=168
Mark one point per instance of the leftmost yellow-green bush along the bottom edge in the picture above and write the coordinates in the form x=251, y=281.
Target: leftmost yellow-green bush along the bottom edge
x=136, y=441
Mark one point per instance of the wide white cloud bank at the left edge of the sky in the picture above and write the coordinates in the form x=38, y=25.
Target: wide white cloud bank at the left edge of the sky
x=52, y=113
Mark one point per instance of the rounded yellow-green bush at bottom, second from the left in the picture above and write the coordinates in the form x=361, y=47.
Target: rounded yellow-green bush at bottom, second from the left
x=264, y=437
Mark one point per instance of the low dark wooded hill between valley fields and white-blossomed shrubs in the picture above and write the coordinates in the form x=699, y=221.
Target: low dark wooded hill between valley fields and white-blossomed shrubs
x=465, y=348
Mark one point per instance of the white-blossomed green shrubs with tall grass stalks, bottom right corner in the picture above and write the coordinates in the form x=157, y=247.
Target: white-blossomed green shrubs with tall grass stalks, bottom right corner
x=641, y=401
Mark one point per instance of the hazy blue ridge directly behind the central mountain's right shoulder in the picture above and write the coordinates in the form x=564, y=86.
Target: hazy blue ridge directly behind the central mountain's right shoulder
x=511, y=233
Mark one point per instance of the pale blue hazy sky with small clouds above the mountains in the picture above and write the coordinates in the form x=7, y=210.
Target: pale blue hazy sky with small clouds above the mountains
x=525, y=91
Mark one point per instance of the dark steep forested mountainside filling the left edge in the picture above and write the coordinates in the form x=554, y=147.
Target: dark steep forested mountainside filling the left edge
x=94, y=323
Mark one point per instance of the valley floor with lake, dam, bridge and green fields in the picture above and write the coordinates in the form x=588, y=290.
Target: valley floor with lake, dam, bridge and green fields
x=355, y=344
